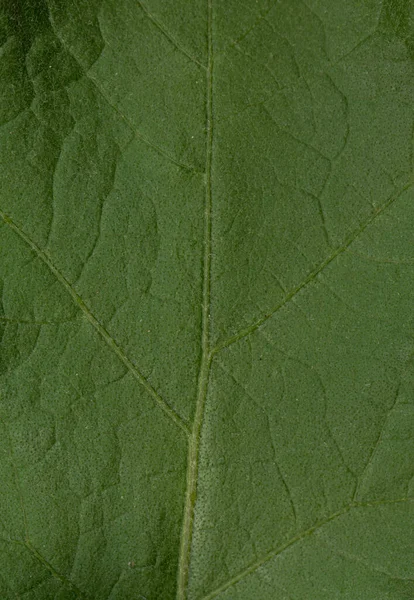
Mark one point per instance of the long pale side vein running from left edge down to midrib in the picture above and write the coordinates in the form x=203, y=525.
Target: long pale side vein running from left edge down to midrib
x=168, y=410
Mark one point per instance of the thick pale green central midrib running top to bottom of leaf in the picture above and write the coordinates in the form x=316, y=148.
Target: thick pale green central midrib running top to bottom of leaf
x=206, y=355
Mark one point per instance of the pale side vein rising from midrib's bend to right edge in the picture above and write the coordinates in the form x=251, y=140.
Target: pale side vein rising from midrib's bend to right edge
x=313, y=274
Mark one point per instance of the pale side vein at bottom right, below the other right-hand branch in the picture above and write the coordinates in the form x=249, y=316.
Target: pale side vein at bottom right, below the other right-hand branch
x=296, y=539
